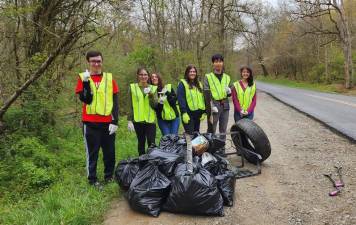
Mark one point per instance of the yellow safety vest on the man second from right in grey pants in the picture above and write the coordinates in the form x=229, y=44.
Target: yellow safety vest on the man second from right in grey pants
x=217, y=87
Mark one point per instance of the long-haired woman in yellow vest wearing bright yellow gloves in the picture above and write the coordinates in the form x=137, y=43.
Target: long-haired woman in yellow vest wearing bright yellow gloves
x=191, y=100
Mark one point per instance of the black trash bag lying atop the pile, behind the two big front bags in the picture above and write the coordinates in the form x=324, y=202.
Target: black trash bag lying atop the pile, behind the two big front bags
x=166, y=161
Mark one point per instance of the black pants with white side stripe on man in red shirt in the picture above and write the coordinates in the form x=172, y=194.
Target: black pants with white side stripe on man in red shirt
x=94, y=138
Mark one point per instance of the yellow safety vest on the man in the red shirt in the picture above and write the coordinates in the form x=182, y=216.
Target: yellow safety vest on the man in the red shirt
x=102, y=96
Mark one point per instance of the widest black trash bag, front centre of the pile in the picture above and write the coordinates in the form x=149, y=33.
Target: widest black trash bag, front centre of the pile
x=194, y=193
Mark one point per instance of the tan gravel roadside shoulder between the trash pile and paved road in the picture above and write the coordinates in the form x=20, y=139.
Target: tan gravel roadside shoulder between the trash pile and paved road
x=291, y=189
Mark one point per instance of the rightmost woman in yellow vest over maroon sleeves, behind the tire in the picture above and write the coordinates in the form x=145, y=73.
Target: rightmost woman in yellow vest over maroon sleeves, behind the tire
x=244, y=95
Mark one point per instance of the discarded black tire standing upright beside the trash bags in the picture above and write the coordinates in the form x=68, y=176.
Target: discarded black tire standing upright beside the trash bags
x=252, y=137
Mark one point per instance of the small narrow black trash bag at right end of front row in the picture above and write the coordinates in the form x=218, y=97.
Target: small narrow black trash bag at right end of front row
x=226, y=185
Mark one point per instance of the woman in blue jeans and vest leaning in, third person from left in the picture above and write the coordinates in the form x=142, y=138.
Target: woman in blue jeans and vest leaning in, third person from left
x=166, y=110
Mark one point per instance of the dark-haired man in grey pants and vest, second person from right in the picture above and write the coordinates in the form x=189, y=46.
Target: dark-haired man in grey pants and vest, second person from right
x=216, y=91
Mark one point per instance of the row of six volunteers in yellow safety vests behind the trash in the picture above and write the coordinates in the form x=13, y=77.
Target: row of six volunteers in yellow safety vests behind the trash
x=152, y=101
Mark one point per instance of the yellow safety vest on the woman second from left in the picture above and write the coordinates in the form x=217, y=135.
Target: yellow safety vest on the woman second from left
x=142, y=110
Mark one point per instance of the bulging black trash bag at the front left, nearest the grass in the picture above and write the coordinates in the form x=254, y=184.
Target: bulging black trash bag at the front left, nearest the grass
x=149, y=190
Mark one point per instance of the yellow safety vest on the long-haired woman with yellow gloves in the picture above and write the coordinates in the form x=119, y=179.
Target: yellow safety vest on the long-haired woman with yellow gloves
x=194, y=97
